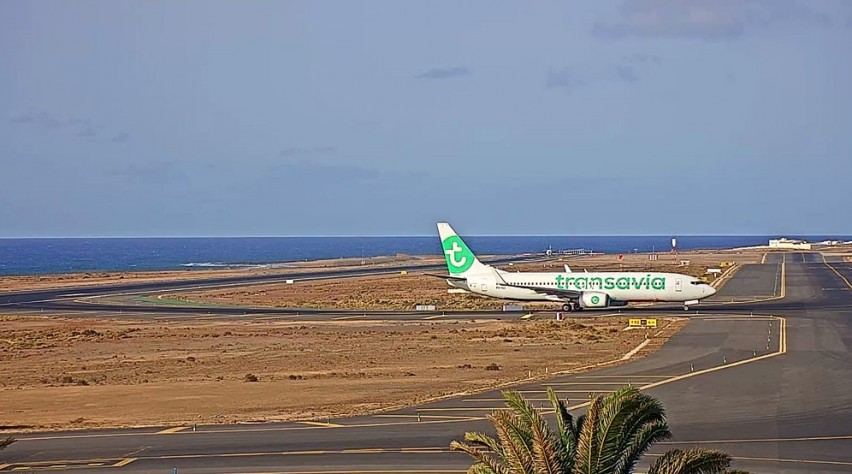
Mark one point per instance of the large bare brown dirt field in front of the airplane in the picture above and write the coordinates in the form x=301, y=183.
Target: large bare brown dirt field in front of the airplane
x=60, y=373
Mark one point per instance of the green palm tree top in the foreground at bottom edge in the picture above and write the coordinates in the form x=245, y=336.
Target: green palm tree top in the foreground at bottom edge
x=609, y=439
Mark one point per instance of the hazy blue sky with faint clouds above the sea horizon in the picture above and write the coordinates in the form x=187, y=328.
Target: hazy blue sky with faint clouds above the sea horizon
x=379, y=118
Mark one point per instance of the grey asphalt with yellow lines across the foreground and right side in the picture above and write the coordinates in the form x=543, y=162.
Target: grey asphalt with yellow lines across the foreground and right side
x=763, y=372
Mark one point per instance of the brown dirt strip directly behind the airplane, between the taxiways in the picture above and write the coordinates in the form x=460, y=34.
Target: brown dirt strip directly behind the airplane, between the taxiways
x=405, y=291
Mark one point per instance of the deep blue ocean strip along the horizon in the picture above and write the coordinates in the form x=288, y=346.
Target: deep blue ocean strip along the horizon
x=43, y=256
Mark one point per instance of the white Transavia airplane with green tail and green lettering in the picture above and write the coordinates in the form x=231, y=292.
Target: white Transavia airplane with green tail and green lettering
x=576, y=290
